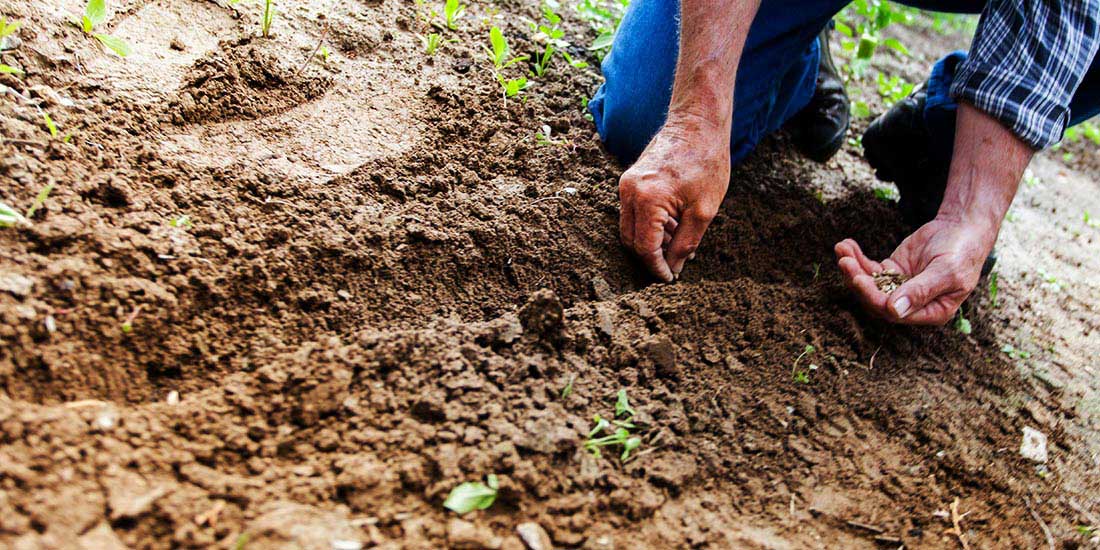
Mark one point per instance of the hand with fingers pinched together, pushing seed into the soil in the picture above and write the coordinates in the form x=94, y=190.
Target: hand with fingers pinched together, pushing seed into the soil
x=673, y=193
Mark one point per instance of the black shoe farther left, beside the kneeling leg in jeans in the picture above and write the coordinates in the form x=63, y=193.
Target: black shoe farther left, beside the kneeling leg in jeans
x=820, y=128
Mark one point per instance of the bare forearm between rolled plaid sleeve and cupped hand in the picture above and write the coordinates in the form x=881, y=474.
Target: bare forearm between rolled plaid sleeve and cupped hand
x=988, y=163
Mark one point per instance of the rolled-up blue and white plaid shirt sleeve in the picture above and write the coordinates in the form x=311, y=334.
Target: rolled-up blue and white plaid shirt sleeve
x=1027, y=61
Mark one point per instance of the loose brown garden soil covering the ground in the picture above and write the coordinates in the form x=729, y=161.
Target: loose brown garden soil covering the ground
x=388, y=284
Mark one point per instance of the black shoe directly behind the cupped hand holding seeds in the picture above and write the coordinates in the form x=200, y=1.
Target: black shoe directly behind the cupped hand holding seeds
x=900, y=149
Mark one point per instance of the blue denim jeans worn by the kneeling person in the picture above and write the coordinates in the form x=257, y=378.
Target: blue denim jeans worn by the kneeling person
x=776, y=80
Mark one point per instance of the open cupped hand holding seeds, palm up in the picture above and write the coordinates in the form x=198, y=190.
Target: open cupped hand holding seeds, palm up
x=944, y=259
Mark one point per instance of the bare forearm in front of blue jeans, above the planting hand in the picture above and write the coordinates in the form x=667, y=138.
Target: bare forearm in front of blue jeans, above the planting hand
x=712, y=38
